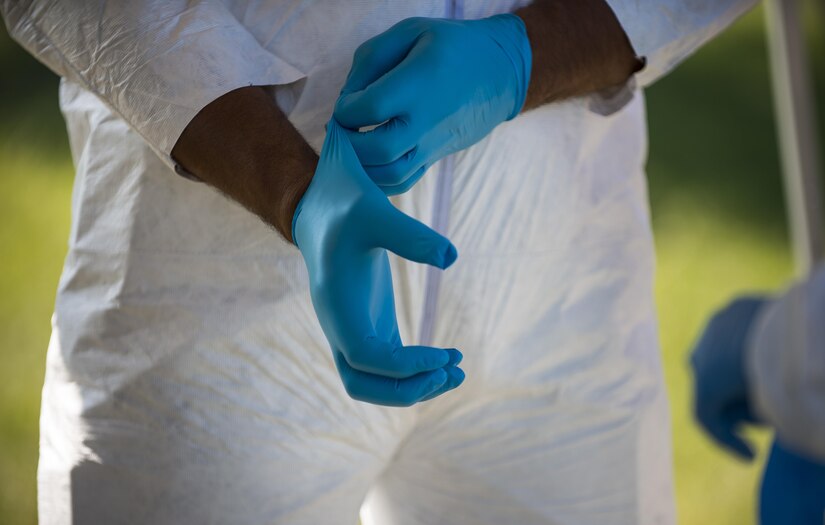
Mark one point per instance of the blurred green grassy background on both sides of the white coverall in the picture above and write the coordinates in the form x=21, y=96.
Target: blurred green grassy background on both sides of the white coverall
x=718, y=214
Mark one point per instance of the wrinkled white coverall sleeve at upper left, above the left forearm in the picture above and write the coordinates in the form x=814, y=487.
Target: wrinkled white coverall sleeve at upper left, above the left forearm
x=155, y=63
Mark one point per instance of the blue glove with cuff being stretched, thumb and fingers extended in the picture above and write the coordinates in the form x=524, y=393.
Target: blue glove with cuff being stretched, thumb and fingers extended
x=342, y=226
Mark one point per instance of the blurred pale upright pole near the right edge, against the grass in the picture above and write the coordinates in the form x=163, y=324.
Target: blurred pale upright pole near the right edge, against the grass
x=798, y=142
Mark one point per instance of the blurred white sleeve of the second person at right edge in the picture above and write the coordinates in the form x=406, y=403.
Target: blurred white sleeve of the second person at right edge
x=785, y=365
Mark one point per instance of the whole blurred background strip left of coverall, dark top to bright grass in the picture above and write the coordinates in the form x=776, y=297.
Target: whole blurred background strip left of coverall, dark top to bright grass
x=35, y=193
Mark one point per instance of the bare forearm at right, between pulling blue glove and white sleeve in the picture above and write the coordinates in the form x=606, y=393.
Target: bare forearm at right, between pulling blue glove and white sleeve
x=578, y=47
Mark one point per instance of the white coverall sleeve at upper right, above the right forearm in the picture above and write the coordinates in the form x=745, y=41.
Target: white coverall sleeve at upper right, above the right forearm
x=665, y=32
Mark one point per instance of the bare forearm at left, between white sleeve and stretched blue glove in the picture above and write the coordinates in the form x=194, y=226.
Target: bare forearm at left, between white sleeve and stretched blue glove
x=244, y=146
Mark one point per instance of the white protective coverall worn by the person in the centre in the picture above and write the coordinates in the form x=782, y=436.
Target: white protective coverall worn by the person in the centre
x=188, y=380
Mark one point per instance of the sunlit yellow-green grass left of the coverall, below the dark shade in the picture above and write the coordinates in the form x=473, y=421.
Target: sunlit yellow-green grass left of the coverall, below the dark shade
x=34, y=213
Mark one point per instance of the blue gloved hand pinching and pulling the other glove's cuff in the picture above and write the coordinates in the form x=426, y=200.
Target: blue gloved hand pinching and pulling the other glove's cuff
x=437, y=86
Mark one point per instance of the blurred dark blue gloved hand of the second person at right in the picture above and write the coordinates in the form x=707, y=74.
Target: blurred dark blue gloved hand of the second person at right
x=721, y=402
